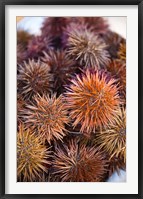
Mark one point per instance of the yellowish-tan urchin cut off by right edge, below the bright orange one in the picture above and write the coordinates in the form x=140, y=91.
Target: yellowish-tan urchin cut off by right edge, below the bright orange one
x=113, y=139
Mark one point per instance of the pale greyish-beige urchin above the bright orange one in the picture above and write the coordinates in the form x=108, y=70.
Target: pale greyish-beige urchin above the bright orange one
x=87, y=48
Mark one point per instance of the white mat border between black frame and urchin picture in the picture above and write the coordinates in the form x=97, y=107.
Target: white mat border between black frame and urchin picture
x=131, y=184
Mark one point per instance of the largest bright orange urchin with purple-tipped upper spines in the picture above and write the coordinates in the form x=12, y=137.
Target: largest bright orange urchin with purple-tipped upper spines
x=93, y=100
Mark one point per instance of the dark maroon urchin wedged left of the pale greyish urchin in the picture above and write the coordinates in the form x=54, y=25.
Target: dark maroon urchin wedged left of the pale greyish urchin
x=61, y=66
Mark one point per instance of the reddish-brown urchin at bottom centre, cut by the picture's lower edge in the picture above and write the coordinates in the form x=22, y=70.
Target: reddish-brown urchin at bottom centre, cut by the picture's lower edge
x=75, y=163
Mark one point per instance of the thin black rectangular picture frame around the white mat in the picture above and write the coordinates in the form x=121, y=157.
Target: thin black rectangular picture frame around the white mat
x=3, y=3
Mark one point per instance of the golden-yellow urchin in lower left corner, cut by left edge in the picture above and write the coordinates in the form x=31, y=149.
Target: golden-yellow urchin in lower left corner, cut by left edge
x=32, y=156
